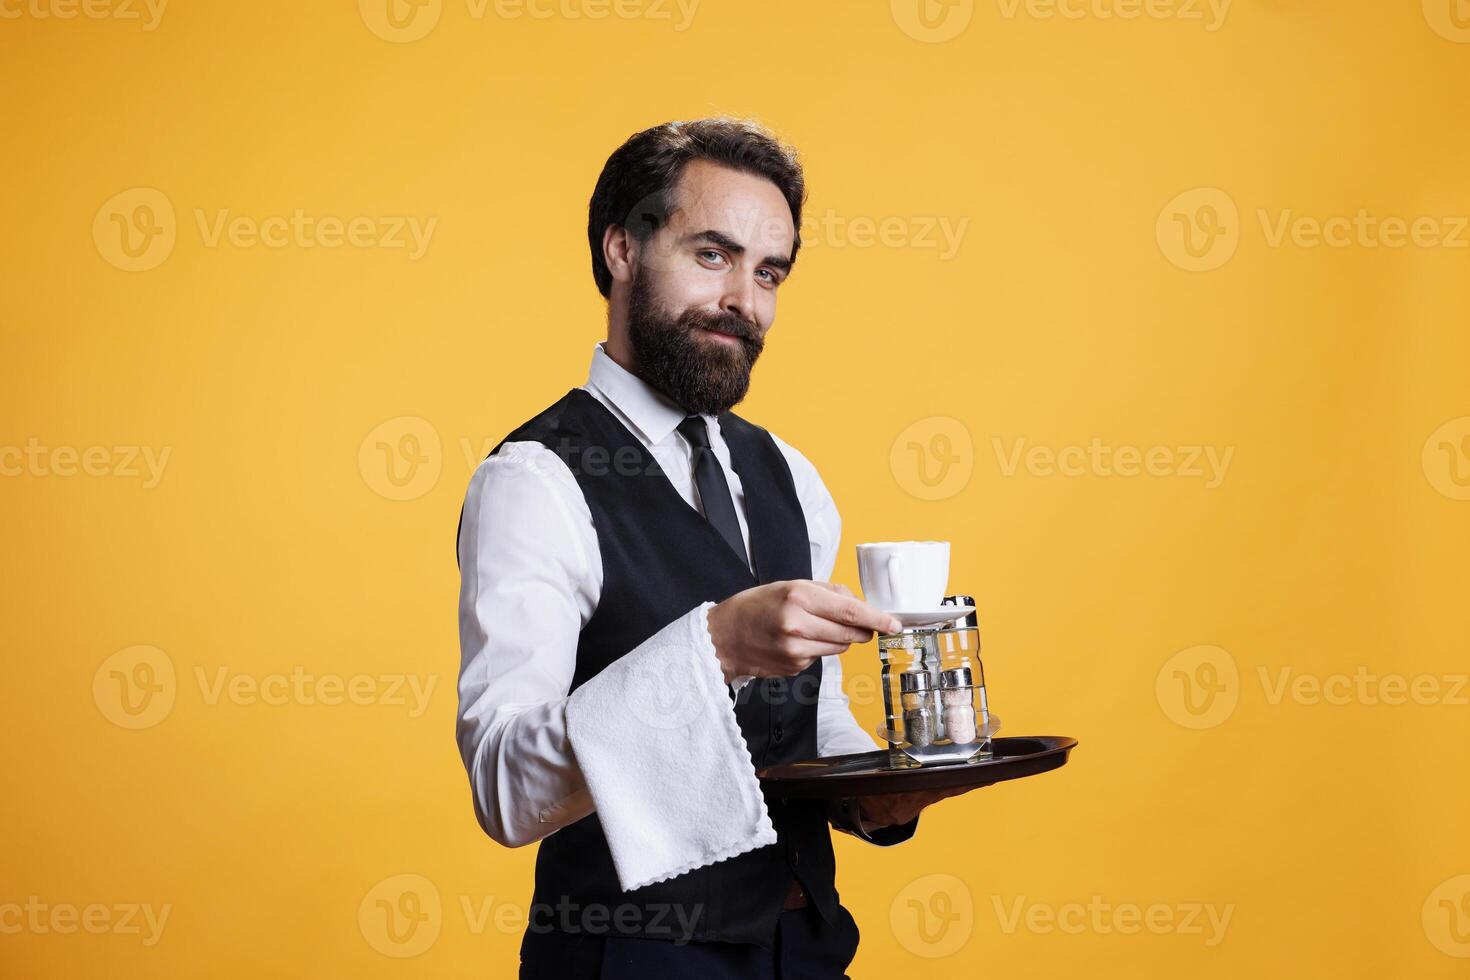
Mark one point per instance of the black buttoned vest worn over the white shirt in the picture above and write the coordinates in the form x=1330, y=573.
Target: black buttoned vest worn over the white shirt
x=662, y=559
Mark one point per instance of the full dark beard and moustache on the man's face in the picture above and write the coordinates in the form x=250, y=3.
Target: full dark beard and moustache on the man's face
x=703, y=375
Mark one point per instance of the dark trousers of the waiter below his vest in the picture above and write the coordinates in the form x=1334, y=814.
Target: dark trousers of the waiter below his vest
x=808, y=948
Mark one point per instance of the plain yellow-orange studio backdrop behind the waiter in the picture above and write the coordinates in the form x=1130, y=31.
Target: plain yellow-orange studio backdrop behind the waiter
x=1333, y=544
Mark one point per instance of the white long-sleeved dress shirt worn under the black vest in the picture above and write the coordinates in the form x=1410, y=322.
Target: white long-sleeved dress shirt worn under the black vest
x=531, y=577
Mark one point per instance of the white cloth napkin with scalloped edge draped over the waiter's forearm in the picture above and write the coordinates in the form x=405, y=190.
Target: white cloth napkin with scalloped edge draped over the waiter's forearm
x=664, y=757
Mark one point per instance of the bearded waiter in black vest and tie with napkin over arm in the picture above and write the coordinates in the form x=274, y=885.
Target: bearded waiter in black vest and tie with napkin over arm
x=639, y=536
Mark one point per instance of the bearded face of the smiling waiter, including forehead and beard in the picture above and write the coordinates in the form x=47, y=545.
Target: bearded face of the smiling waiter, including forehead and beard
x=705, y=287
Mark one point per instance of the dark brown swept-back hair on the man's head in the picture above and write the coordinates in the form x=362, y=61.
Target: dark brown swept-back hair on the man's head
x=637, y=183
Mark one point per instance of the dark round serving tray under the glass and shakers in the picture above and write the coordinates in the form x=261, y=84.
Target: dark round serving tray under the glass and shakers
x=871, y=775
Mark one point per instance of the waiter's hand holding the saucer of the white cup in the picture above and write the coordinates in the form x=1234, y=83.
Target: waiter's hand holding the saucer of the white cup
x=780, y=630
